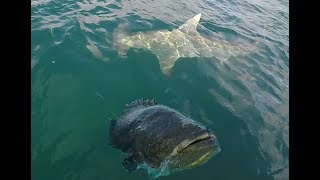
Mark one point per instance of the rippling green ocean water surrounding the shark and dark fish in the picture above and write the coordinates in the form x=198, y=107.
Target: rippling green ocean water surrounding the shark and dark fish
x=79, y=83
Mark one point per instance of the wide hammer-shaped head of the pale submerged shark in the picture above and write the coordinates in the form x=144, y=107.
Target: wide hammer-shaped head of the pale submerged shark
x=120, y=39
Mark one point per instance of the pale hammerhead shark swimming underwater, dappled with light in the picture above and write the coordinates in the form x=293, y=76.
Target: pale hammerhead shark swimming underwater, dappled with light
x=169, y=46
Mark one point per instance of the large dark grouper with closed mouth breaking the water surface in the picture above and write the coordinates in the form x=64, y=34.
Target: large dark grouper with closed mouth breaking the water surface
x=160, y=139
